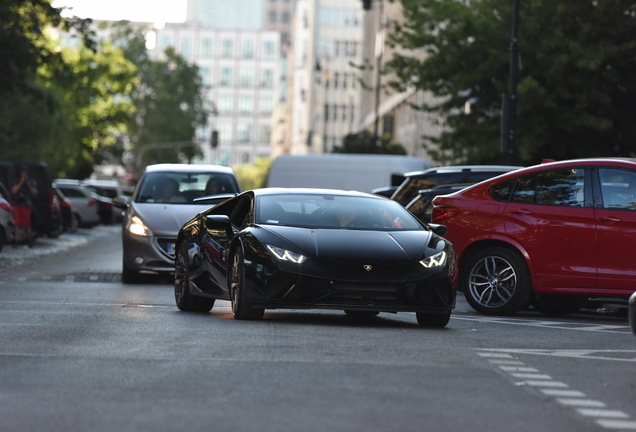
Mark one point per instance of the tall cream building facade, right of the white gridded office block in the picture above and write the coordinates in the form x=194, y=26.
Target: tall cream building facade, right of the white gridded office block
x=324, y=88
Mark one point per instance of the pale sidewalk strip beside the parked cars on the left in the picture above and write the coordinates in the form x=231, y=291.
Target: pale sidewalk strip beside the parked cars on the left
x=42, y=246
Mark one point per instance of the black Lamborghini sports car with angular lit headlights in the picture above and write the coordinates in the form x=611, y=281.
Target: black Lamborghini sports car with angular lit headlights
x=314, y=248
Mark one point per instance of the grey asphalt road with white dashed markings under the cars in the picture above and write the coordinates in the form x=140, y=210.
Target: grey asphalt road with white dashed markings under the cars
x=80, y=351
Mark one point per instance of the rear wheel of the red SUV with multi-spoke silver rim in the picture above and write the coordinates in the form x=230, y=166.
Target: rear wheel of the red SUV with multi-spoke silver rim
x=496, y=281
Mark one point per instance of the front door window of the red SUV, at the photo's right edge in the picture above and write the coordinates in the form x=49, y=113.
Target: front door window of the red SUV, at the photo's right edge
x=618, y=188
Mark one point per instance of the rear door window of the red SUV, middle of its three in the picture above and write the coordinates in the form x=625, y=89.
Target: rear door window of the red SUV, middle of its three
x=563, y=187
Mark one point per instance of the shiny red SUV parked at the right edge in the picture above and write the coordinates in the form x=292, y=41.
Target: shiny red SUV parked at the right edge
x=553, y=235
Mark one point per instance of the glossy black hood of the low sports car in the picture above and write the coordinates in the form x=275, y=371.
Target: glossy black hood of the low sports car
x=356, y=245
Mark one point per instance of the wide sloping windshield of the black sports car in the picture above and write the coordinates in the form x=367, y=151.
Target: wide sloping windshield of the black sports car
x=333, y=211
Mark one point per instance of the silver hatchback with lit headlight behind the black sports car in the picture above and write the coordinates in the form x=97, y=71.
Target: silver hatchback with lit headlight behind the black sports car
x=166, y=196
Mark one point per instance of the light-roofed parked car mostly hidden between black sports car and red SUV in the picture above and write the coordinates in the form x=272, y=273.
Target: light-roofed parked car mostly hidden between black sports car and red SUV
x=433, y=177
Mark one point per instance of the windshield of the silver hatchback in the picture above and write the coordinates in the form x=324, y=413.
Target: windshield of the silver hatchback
x=183, y=188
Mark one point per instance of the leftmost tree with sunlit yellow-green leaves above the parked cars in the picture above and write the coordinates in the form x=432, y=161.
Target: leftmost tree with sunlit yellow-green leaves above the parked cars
x=61, y=106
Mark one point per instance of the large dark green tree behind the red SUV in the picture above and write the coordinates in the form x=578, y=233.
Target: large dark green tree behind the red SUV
x=576, y=94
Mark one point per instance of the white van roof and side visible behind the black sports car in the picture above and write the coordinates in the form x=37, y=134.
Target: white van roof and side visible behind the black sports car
x=360, y=172
